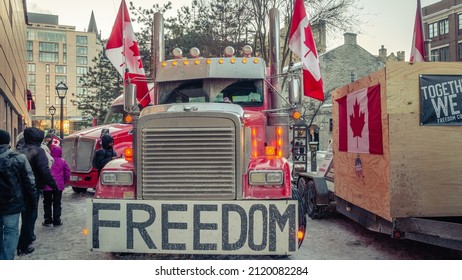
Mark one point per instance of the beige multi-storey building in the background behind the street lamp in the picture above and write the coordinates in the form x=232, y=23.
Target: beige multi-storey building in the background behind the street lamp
x=58, y=53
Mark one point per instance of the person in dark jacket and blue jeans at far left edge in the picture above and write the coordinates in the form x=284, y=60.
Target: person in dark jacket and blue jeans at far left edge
x=17, y=188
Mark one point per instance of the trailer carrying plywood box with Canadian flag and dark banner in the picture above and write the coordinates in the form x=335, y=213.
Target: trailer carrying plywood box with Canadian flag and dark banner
x=411, y=187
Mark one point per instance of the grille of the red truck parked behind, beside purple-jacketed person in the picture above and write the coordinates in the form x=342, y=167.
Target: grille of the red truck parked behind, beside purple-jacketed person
x=78, y=153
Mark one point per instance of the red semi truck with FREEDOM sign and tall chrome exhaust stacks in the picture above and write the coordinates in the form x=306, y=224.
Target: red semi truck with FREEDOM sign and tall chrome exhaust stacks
x=207, y=171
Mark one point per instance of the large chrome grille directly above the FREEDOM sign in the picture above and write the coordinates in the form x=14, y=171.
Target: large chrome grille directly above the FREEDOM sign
x=188, y=162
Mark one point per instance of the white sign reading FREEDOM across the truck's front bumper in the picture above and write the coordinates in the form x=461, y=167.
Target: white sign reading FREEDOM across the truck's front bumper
x=194, y=227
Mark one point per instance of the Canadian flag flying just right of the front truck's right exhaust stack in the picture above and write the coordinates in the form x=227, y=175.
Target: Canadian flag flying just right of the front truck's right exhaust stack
x=301, y=42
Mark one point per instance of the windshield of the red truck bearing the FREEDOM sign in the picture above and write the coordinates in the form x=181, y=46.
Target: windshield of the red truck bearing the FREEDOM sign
x=239, y=91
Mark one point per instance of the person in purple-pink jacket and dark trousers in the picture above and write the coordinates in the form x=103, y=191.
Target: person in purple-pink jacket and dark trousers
x=52, y=198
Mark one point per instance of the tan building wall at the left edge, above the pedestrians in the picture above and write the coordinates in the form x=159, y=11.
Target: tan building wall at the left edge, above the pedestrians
x=13, y=67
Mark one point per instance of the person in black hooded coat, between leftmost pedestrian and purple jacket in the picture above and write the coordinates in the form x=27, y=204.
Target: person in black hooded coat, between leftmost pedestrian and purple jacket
x=33, y=138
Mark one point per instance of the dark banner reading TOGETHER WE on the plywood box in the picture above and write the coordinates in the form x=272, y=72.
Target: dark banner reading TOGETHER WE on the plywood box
x=440, y=100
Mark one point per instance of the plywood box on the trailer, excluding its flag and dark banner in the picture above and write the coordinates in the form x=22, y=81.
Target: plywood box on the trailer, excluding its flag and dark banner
x=419, y=173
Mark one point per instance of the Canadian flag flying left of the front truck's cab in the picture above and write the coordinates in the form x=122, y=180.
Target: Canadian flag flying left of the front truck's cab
x=122, y=50
